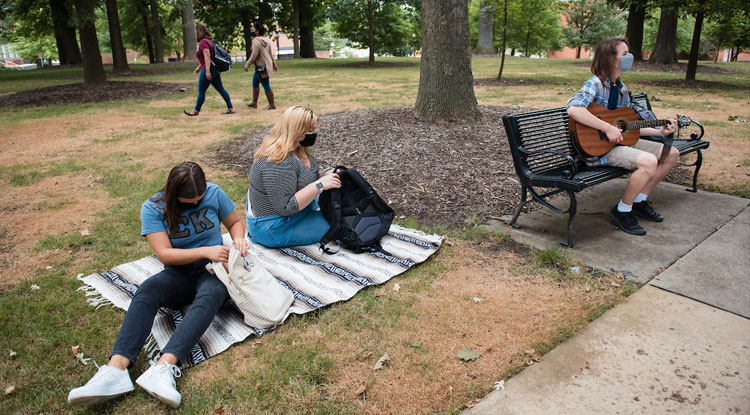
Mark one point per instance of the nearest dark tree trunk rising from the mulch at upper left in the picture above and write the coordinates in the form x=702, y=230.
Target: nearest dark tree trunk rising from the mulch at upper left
x=93, y=70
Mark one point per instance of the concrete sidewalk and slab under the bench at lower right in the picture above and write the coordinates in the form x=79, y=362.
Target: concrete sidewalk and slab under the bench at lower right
x=659, y=351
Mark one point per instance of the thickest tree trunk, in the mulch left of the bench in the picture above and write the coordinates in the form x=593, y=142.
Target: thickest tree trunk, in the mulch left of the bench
x=446, y=89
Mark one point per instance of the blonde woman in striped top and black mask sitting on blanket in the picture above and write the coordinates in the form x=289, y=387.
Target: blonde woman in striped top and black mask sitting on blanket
x=285, y=182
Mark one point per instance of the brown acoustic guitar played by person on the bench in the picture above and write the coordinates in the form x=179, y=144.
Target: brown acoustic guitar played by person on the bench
x=593, y=143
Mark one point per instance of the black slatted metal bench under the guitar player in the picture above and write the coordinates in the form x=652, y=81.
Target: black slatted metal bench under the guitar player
x=546, y=159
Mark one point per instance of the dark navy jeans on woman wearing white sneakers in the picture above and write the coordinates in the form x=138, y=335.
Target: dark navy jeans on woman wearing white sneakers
x=175, y=287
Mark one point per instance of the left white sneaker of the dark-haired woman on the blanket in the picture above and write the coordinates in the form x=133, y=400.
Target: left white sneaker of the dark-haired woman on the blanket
x=108, y=382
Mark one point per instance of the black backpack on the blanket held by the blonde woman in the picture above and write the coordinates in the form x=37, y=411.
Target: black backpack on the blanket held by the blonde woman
x=359, y=218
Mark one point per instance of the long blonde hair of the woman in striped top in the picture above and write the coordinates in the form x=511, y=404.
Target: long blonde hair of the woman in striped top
x=280, y=142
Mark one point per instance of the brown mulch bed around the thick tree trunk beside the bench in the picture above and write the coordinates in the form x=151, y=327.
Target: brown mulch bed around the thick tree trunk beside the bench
x=438, y=172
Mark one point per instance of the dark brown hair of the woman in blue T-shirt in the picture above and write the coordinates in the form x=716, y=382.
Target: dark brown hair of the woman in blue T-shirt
x=185, y=180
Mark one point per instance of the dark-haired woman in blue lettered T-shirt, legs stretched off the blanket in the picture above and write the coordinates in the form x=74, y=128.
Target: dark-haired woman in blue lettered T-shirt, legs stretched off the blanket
x=182, y=223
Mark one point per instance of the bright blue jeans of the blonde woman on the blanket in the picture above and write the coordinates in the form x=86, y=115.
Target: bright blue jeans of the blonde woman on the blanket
x=277, y=231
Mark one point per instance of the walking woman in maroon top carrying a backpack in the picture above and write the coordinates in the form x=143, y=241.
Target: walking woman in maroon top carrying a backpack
x=207, y=72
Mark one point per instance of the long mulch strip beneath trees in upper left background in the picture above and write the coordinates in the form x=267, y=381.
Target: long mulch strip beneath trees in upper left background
x=80, y=93
